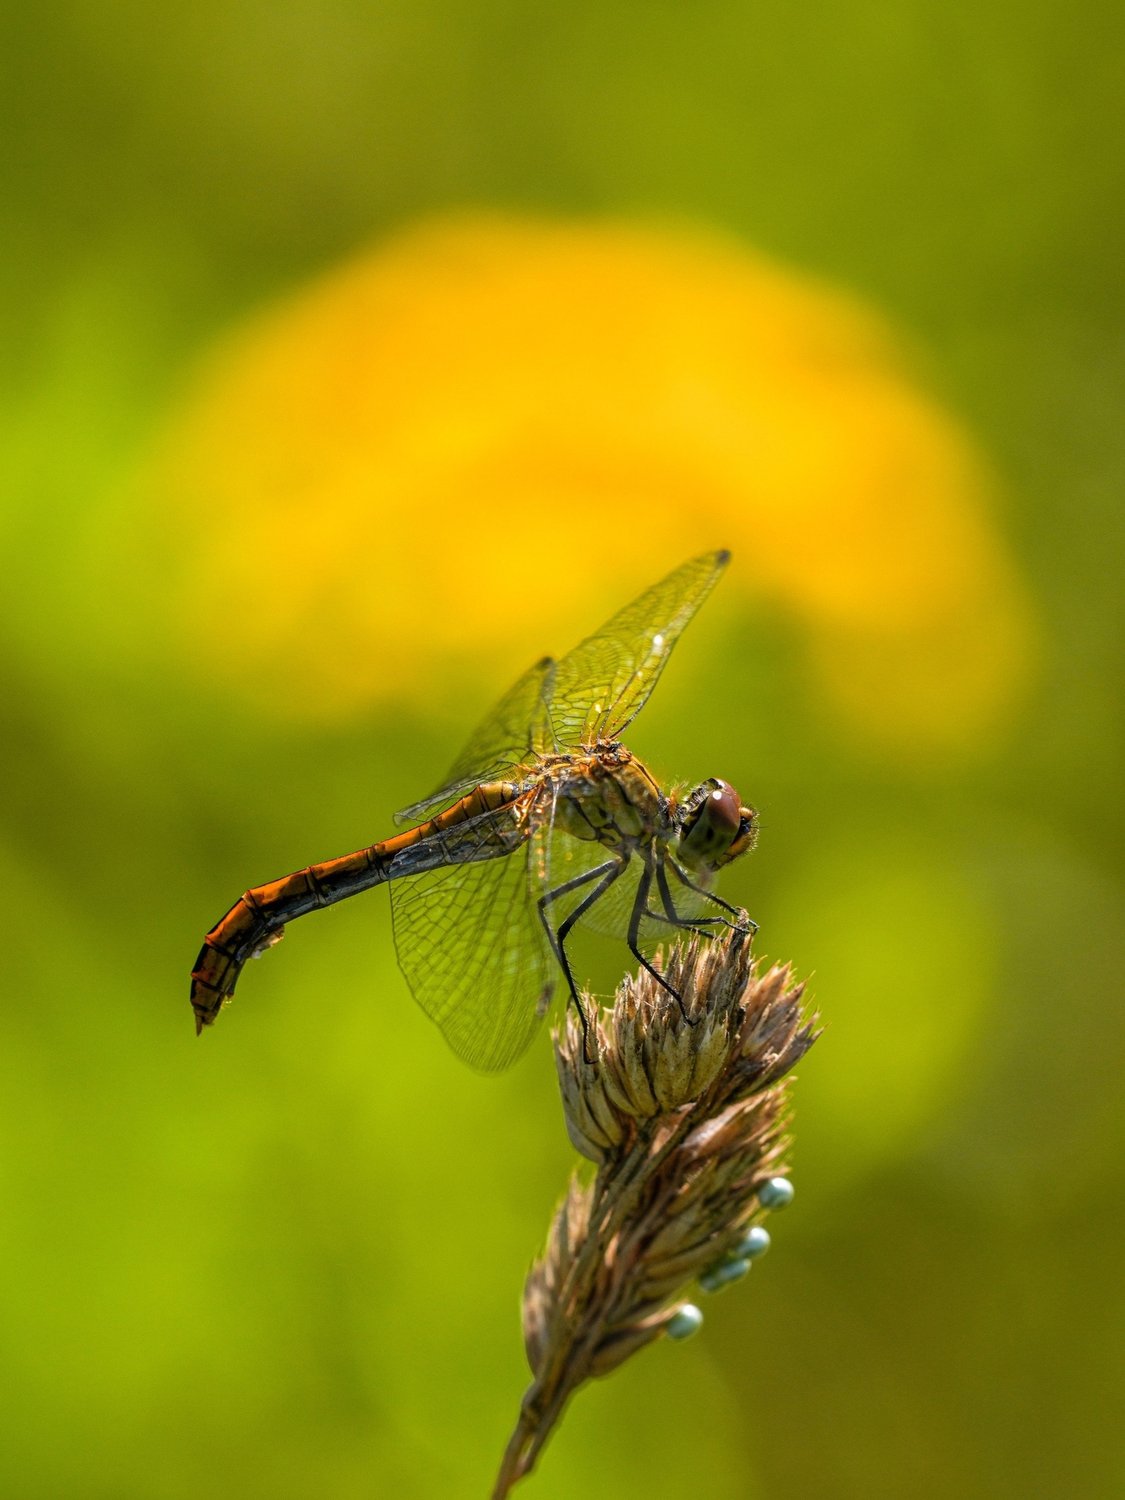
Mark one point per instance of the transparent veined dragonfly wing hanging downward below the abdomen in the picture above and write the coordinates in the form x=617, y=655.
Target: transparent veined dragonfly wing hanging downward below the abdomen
x=475, y=953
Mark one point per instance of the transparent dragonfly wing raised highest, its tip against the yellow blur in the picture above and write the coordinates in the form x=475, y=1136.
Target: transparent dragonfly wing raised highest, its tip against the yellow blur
x=604, y=683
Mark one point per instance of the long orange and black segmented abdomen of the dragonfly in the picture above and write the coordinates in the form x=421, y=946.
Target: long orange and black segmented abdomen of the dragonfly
x=257, y=920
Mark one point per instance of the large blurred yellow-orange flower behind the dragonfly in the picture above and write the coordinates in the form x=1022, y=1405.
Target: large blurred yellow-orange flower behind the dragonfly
x=479, y=439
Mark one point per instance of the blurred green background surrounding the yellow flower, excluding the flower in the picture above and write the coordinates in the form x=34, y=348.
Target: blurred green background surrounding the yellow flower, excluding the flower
x=286, y=1261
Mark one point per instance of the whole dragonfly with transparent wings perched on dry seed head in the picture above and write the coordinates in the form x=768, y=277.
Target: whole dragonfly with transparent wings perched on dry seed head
x=544, y=821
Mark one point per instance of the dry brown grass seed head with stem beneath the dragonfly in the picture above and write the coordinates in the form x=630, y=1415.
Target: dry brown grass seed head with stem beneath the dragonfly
x=683, y=1109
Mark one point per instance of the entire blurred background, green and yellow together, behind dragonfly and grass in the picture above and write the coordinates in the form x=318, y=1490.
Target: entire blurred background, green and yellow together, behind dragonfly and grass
x=352, y=358
